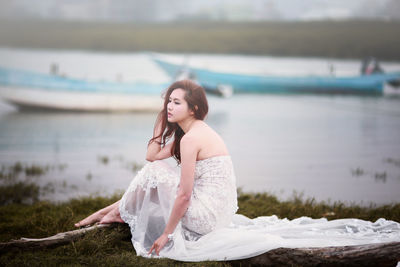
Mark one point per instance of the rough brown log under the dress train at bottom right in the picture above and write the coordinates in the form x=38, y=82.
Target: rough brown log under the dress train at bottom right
x=381, y=254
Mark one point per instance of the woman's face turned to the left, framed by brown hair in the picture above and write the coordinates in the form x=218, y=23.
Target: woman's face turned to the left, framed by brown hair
x=177, y=107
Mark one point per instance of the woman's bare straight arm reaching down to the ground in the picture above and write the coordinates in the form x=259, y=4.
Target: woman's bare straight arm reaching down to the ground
x=189, y=152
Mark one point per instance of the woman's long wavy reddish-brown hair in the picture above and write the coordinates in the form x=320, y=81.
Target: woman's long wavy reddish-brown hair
x=197, y=102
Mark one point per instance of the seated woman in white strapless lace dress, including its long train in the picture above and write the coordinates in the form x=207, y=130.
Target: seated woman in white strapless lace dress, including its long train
x=188, y=212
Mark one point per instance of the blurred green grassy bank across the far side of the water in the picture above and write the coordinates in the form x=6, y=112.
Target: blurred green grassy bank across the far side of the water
x=338, y=39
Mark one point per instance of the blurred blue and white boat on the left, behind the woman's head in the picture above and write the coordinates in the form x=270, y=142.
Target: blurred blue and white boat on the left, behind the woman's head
x=32, y=90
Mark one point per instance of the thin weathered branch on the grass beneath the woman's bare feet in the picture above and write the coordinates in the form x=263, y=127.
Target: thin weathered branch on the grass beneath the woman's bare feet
x=55, y=240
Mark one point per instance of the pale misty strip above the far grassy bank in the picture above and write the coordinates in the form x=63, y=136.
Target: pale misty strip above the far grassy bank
x=177, y=10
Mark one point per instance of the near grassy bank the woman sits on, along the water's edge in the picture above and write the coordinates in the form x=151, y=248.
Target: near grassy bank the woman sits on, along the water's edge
x=112, y=247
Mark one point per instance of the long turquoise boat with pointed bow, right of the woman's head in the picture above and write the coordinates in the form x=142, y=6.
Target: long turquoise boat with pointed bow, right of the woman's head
x=362, y=84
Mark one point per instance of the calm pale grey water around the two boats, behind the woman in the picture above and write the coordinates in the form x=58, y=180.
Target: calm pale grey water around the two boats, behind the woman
x=312, y=144
